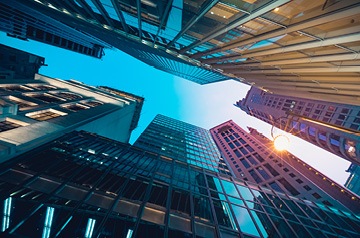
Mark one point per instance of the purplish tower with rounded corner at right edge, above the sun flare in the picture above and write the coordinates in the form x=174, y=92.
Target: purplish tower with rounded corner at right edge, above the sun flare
x=334, y=127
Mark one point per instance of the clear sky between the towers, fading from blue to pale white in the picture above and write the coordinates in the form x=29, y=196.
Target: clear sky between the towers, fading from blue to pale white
x=202, y=105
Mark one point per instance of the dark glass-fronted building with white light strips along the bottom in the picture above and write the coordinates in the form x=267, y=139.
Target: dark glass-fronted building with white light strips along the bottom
x=97, y=187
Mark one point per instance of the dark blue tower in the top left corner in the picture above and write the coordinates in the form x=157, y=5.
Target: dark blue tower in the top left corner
x=25, y=23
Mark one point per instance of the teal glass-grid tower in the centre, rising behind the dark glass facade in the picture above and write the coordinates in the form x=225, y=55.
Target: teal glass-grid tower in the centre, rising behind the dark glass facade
x=182, y=141
